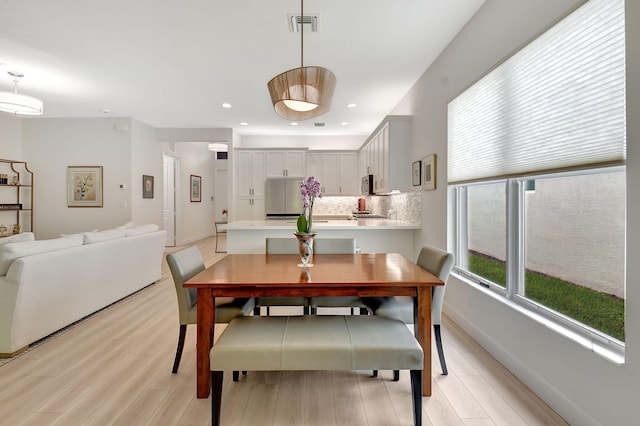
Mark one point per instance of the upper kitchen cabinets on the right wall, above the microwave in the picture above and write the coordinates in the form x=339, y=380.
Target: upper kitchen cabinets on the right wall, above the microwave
x=386, y=155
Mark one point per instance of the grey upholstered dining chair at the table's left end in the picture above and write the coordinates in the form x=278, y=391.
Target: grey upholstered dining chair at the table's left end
x=184, y=264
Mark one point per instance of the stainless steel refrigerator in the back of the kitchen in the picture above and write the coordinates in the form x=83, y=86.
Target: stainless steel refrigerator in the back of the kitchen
x=282, y=197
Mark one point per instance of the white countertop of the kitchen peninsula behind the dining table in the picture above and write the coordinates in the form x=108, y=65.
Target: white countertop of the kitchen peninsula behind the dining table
x=321, y=224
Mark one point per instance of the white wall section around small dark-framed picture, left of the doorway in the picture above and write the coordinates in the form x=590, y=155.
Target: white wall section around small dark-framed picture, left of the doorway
x=146, y=159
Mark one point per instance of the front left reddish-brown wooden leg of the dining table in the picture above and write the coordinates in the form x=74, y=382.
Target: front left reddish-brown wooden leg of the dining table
x=206, y=323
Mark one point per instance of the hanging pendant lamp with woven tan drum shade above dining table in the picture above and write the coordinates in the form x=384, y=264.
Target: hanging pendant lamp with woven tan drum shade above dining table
x=305, y=92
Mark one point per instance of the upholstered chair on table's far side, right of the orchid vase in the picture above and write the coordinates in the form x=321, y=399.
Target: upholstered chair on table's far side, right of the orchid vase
x=336, y=246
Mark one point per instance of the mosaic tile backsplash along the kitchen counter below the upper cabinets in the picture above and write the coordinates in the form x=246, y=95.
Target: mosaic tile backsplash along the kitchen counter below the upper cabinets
x=406, y=206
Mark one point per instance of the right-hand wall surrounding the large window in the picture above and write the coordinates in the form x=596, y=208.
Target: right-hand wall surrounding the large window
x=583, y=387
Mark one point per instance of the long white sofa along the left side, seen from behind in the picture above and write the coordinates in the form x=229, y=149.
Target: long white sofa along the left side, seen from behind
x=50, y=284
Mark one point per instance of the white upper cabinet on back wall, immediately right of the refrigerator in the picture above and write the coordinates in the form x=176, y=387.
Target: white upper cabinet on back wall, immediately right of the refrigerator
x=336, y=171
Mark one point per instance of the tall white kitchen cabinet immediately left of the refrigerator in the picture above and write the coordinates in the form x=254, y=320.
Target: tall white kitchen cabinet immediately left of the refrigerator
x=250, y=175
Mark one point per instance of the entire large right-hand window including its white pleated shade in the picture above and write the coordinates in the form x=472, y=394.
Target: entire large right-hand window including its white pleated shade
x=537, y=150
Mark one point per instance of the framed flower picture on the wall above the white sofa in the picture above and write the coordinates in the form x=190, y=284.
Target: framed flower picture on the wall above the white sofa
x=84, y=186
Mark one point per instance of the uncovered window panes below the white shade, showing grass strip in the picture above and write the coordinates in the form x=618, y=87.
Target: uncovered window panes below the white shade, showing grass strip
x=568, y=249
